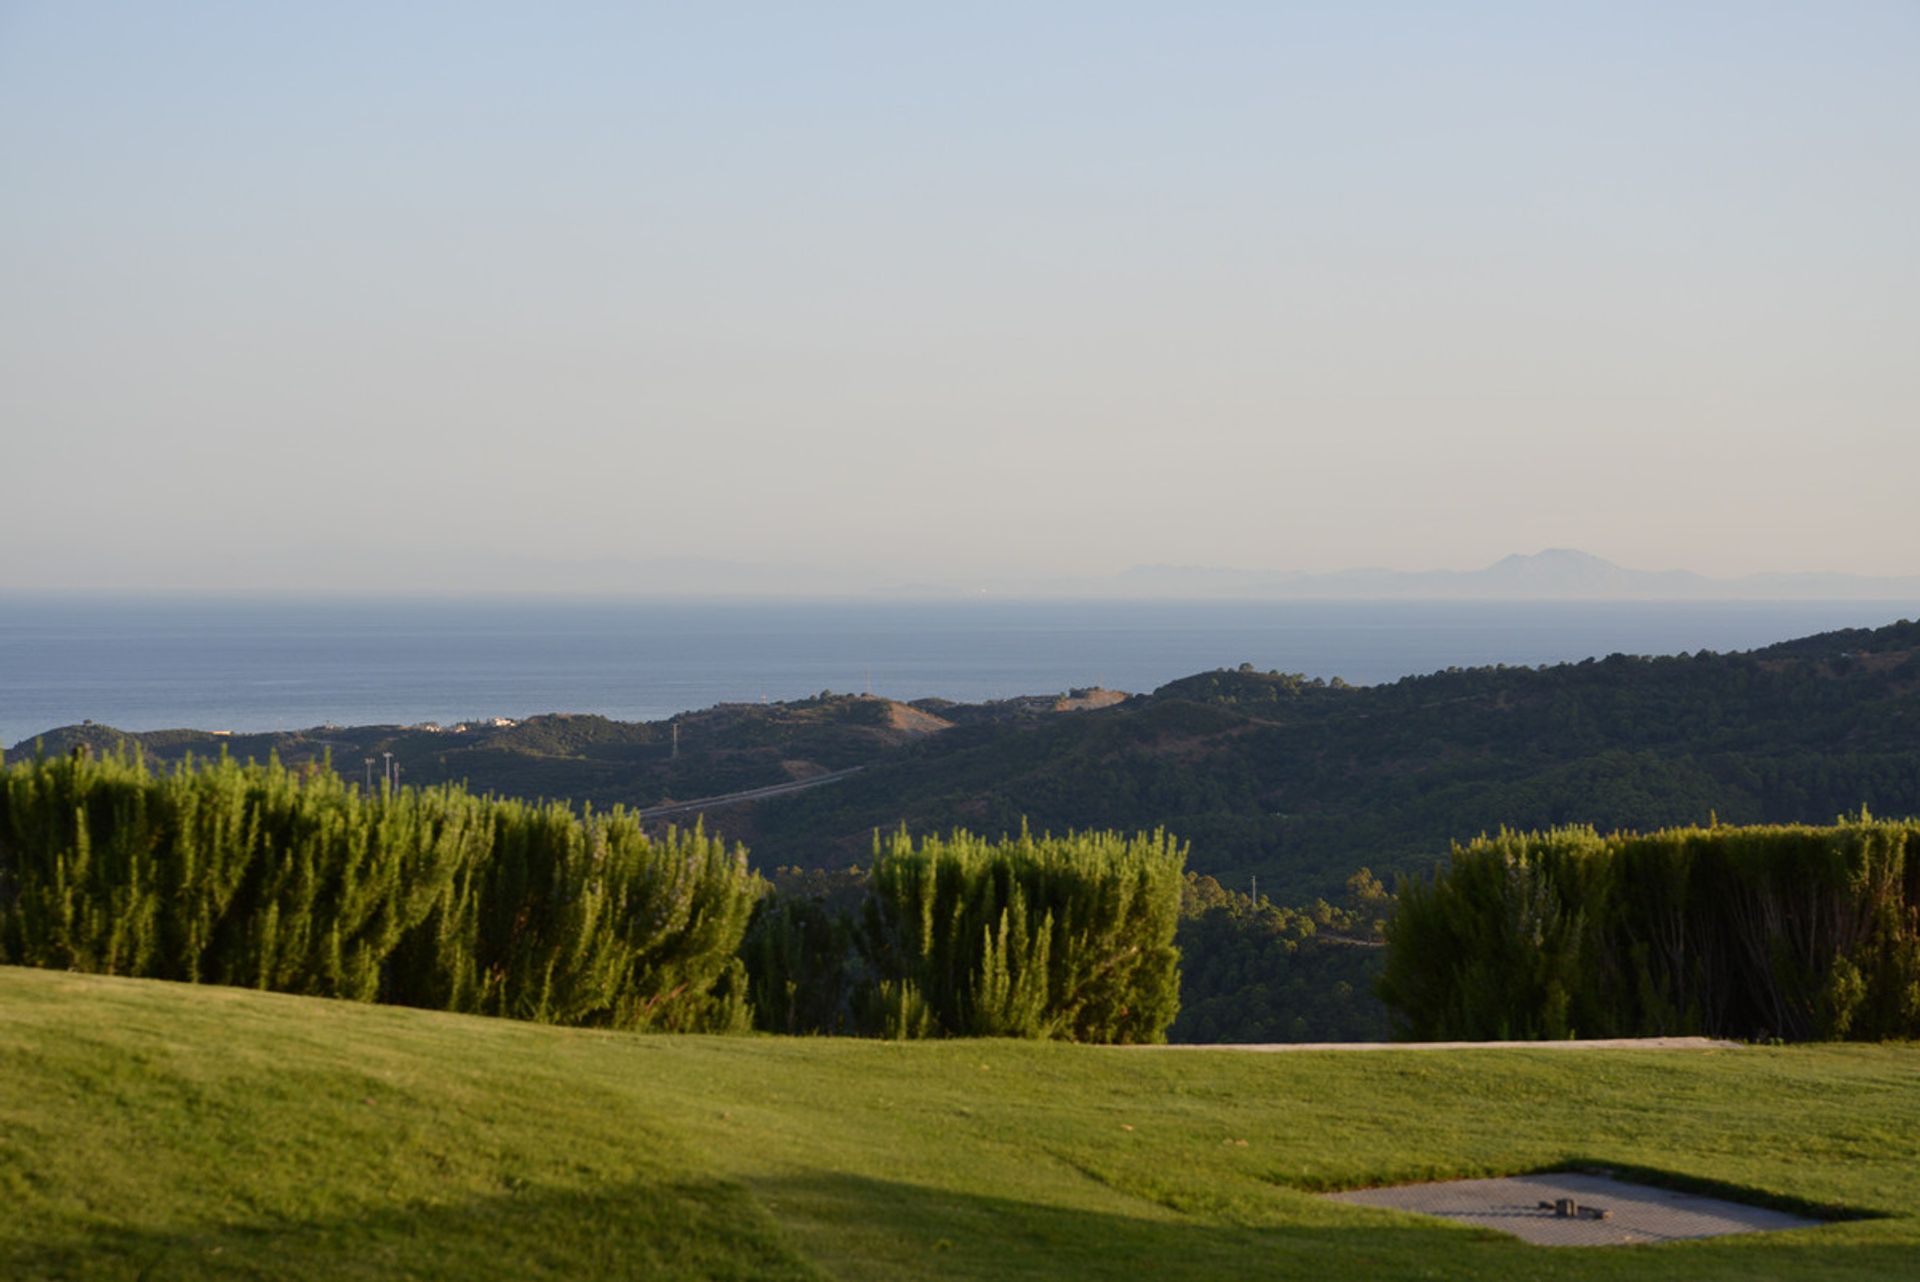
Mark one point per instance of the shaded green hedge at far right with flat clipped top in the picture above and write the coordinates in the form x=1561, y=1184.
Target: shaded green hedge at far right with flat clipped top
x=1758, y=934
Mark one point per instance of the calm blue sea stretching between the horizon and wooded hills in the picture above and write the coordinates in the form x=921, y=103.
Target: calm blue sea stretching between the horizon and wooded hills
x=295, y=663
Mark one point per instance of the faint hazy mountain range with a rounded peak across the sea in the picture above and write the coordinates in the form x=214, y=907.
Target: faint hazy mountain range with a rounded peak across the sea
x=1554, y=575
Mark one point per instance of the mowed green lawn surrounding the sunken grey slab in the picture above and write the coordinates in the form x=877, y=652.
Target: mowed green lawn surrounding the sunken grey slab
x=160, y=1131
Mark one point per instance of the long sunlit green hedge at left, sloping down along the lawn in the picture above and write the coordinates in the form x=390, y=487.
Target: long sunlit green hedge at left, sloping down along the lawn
x=266, y=878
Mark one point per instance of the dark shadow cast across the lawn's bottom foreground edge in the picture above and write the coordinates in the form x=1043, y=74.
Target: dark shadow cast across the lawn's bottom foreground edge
x=821, y=1225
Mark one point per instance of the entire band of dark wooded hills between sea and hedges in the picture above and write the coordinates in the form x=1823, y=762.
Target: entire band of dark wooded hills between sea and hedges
x=1270, y=776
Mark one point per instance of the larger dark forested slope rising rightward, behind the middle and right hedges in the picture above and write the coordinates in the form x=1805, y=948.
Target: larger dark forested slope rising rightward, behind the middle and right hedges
x=1299, y=782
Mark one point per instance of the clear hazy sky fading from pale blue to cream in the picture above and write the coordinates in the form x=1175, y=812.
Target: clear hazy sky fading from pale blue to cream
x=496, y=297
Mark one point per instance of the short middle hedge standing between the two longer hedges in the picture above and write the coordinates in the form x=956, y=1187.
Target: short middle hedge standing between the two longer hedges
x=1038, y=938
